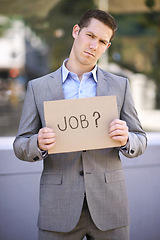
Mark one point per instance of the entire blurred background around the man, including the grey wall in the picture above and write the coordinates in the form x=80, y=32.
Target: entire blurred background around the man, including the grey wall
x=35, y=38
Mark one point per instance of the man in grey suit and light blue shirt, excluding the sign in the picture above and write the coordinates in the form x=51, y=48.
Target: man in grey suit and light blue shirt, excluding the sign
x=73, y=203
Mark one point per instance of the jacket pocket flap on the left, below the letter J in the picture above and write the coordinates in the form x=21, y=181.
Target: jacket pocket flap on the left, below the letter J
x=51, y=179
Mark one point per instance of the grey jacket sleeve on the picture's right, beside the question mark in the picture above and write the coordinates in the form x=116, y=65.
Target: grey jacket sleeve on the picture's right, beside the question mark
x=137, y=137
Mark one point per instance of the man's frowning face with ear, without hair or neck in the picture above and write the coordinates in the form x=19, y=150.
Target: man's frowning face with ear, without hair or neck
x=90, y=42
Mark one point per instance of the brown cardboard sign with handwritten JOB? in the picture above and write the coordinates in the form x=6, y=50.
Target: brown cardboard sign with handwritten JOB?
x=81, y=124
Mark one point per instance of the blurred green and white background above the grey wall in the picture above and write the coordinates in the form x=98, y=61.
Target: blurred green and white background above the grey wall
x=35, y=38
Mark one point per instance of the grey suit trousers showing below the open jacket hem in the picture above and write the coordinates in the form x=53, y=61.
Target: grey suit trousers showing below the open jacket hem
x=86, y=228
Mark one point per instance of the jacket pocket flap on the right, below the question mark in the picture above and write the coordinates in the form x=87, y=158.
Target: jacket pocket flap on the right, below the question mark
x=114, y=176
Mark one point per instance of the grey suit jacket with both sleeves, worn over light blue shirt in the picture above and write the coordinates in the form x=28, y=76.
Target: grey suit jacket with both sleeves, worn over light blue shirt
x=62, y=186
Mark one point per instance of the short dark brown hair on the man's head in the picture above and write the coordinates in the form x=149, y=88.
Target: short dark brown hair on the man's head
x=100, y=15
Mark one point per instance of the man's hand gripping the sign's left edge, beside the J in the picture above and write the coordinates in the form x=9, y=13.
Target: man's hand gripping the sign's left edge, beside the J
x=46, y=138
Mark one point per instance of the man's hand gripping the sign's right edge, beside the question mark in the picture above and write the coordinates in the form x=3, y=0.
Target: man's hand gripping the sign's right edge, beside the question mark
x=118, y=131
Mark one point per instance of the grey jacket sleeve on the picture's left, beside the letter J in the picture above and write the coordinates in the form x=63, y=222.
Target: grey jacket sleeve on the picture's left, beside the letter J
x=25, y=144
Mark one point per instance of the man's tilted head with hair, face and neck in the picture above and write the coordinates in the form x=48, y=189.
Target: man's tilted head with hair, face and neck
x=92, y=38
